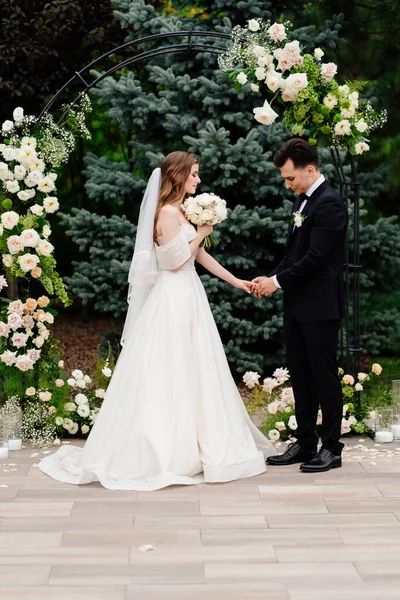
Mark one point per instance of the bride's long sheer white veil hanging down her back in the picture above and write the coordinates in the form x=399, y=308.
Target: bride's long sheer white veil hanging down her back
x=143, y=270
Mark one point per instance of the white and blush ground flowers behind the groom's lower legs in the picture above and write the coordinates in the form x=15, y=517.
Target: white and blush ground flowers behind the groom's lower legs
x=273, y=404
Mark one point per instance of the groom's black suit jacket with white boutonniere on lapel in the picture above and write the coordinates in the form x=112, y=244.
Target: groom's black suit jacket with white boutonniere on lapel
x=311, y=273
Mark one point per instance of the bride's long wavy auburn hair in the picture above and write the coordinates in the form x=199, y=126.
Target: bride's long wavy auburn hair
x=175, y=169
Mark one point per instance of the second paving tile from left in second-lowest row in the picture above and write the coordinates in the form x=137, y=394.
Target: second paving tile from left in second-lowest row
x=125, y=575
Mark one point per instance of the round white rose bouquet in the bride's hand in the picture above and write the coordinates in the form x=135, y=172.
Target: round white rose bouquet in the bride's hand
x=205, y=209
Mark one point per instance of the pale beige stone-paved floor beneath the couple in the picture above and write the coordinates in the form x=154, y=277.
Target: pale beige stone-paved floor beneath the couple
x=283, y=535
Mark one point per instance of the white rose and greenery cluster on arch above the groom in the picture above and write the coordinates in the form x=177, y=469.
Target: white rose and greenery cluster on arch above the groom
x=262, y=58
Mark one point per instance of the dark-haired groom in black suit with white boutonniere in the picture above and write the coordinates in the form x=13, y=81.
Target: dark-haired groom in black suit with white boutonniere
x=311, y=277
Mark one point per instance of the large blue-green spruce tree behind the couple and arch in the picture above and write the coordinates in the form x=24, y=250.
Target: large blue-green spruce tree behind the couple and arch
x=183, y=101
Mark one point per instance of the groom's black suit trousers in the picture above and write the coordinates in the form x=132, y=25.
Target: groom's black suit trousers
x=311, y=359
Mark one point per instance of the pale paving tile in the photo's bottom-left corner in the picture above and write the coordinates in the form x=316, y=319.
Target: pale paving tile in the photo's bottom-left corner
x=67, y=593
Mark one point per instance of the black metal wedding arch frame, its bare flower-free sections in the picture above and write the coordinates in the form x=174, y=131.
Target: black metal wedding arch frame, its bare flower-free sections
x=350, y=333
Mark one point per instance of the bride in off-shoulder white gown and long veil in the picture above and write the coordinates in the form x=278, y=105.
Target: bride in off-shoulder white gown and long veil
x=172, y=413
